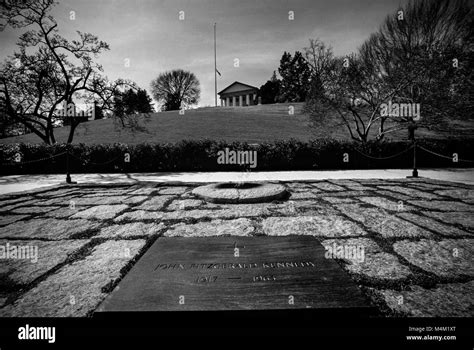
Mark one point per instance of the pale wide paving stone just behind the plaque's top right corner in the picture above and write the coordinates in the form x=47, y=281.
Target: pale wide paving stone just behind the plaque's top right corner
x=325, y=226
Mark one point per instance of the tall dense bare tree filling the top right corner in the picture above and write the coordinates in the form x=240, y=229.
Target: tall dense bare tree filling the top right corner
x=428, y=44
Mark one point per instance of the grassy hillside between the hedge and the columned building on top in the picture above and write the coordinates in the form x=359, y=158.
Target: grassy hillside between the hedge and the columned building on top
x=252, y=124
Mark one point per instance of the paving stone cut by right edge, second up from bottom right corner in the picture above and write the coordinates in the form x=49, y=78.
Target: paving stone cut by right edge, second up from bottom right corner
x=446, y=258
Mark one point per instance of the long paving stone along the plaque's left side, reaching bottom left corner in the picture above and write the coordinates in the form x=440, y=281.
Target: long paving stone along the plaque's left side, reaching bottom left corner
x=81, y=281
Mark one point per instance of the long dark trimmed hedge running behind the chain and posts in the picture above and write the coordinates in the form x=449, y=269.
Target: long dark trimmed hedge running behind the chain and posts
x=322, y=154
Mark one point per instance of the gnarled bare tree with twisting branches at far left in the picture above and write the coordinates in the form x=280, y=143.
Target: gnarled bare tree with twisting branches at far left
x=48, y=70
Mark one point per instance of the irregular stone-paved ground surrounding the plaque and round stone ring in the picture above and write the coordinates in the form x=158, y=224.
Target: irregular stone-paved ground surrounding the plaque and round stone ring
x=416, y=236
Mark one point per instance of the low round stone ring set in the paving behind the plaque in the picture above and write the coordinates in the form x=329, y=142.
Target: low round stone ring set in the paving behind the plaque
x=248, y=192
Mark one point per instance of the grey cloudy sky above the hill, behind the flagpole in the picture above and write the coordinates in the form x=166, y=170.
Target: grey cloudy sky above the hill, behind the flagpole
x=150, y=34
